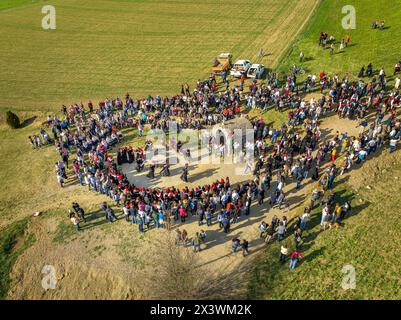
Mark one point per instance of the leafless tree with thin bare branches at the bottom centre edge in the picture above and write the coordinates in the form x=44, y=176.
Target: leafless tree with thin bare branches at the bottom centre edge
x=173, y=272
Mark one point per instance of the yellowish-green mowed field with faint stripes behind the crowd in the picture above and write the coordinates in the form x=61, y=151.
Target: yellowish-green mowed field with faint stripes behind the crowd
x=110, y=47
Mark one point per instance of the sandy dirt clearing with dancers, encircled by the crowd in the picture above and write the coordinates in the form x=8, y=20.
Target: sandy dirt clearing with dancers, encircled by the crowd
x=204, y=168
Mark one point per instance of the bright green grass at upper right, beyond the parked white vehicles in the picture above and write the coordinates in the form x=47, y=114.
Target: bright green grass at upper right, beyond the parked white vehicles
x=381, y=48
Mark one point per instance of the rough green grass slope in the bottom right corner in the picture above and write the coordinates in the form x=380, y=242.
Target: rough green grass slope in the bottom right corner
x=368, y=242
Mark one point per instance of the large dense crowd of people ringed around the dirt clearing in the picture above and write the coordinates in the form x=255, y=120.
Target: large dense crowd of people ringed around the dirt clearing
x=292, y=153
